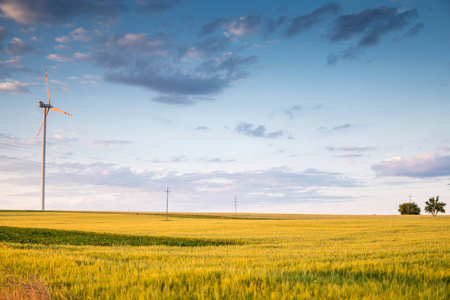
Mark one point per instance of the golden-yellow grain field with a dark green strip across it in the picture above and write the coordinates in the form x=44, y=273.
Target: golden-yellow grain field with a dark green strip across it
x=222, y=256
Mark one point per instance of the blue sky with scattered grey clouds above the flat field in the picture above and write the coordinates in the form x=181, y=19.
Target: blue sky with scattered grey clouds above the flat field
x=308, y=107
